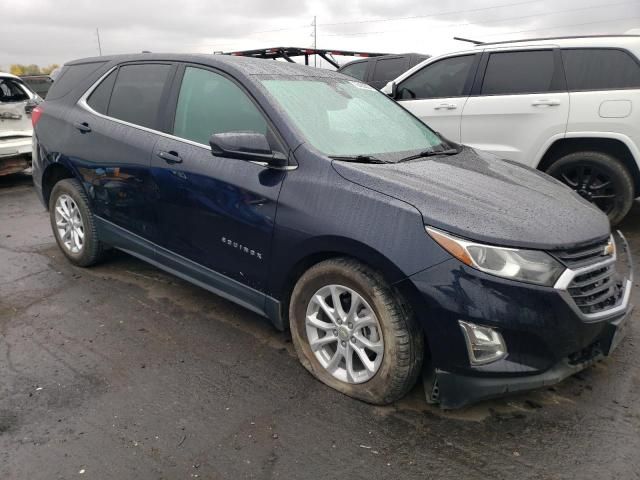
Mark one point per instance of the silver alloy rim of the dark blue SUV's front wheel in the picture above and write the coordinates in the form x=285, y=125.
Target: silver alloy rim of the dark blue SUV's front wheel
x=344, y=334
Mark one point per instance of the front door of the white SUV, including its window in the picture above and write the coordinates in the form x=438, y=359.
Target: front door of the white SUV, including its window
x=437, y=92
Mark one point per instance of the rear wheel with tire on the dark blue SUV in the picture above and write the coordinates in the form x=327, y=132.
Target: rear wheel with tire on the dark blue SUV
x=73, y=224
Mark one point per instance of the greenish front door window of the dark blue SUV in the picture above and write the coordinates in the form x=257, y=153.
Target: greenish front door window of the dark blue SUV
x=210, y=103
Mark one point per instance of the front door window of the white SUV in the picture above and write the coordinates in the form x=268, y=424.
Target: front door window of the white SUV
x=445, y=78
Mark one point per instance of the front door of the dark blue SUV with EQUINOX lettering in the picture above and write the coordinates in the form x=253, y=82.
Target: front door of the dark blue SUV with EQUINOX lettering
x=216, y=211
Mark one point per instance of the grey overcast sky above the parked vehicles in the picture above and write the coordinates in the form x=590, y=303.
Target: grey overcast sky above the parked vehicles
x=55, y=31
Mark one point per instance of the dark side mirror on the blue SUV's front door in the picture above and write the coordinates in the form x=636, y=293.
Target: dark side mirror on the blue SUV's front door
x=250, y=146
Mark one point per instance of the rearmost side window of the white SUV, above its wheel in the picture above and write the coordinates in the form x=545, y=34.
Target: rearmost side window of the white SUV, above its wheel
x=600, y=69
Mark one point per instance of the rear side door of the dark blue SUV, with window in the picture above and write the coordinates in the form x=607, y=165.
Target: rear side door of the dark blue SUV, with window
x=112, y=135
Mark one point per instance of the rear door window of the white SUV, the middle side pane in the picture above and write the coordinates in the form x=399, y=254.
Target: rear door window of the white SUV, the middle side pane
x=519, y=72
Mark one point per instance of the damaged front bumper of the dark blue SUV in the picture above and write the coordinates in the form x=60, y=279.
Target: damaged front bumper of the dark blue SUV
x=546, y=336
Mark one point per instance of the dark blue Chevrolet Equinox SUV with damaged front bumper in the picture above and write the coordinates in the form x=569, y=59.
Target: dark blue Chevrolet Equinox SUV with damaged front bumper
x=313, y=199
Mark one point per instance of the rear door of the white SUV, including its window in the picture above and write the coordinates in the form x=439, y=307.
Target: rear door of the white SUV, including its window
x=518, y=104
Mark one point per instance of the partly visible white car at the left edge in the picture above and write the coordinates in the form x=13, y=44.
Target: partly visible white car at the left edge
x=17, y=101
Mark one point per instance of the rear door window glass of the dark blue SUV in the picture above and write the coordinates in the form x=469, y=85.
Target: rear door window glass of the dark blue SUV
x=137, y=93
